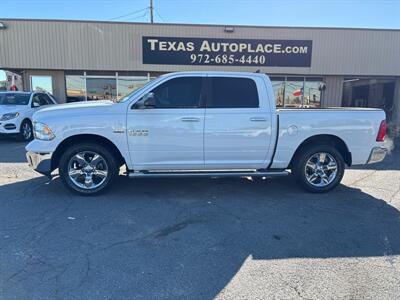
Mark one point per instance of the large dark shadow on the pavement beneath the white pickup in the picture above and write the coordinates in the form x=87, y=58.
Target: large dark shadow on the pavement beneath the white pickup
x=176, y=238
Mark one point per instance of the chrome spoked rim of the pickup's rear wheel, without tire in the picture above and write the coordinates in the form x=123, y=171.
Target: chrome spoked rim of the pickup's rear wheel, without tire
x=321, y=169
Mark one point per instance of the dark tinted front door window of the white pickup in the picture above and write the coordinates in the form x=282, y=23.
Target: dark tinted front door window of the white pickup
x=182, y=92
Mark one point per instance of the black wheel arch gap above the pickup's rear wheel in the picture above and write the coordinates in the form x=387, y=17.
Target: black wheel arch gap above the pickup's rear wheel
x=325, y=139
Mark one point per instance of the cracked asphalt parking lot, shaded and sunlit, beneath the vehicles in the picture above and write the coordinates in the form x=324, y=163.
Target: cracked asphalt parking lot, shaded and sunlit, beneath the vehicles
x=228, y=238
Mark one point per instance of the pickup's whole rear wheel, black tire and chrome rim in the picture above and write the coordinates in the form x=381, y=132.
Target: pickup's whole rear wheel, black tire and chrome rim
x=319, y=168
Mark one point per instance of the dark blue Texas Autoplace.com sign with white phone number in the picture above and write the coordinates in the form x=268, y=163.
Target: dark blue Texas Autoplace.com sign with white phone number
x=227, y=52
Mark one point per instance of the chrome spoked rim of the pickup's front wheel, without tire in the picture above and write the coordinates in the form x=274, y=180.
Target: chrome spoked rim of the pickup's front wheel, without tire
x=87, y=170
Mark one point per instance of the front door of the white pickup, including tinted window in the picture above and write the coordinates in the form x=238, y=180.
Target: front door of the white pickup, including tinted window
x=169, y=135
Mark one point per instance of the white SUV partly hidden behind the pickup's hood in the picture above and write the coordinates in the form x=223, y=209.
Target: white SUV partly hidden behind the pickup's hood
x=16, y=110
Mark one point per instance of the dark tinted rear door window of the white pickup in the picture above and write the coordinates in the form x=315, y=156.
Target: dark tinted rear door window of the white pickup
x=227, y=92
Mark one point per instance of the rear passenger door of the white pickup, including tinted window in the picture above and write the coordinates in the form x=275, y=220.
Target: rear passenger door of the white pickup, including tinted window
x=237, y=130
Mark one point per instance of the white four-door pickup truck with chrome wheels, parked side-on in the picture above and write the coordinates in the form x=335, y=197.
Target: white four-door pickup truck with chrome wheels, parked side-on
x=203, y=124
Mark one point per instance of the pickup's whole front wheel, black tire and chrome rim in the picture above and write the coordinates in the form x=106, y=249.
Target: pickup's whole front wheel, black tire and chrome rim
x=88, y=168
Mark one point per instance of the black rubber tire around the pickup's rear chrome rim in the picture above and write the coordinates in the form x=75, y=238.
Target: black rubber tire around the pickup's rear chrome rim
x=300, y=171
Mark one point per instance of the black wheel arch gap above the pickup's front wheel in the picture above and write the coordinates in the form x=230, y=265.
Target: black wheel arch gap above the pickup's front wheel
x=80, y=138
